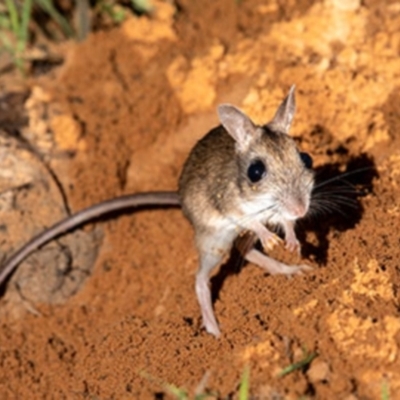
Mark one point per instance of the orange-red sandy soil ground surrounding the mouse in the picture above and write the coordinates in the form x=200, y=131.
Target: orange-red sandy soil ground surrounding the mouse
x=89, y=315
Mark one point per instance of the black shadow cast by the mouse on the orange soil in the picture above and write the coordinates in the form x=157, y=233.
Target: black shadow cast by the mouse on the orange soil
x=335, y=205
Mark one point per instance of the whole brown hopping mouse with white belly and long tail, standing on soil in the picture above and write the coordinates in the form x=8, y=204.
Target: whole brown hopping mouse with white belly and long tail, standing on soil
x=238, y=178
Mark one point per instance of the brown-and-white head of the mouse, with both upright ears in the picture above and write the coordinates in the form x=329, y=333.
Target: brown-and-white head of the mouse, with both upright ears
x=275, y=178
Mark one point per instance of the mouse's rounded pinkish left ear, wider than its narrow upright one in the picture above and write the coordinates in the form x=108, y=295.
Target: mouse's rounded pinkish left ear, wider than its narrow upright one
x=238, y=125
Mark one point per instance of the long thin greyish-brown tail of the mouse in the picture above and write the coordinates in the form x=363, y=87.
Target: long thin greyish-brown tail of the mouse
x=149, y=199
